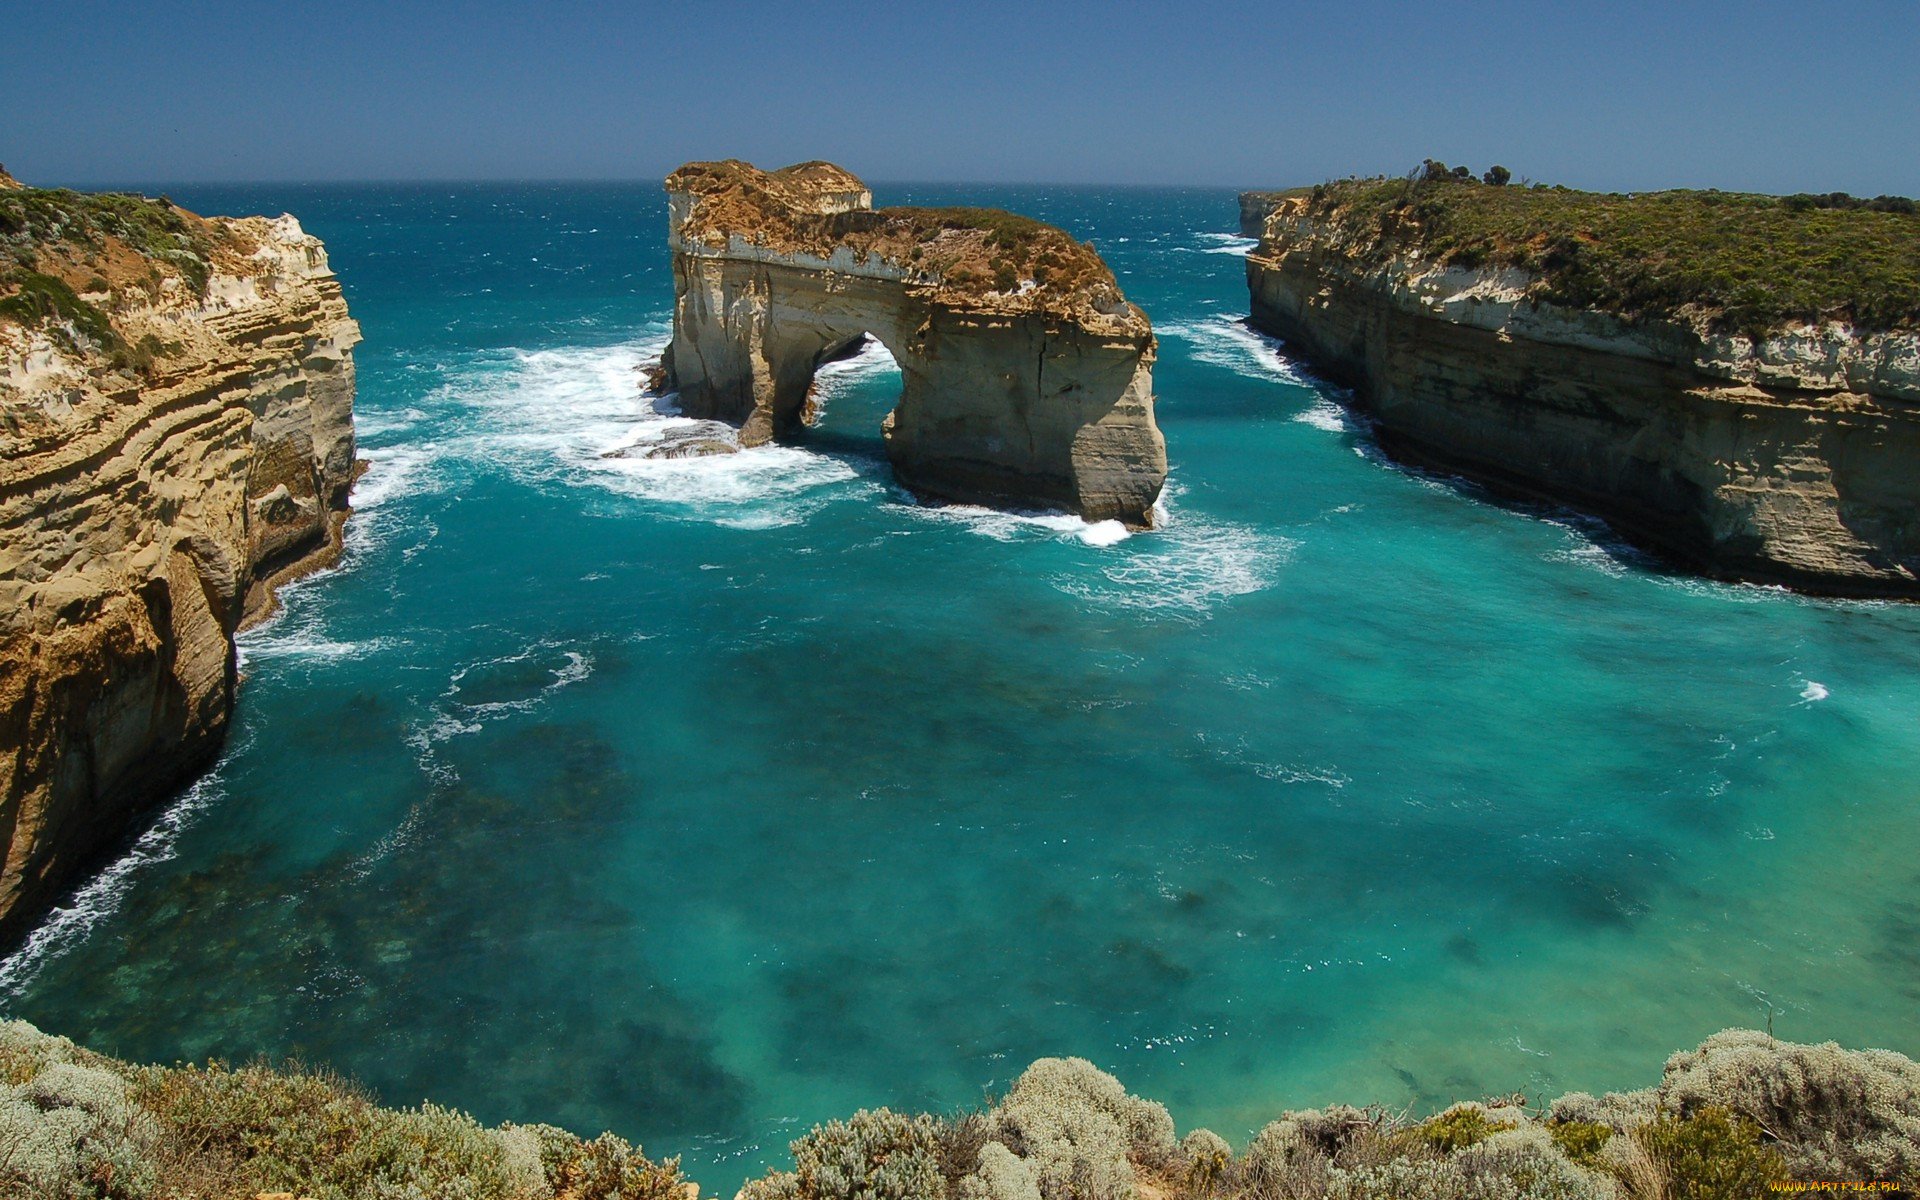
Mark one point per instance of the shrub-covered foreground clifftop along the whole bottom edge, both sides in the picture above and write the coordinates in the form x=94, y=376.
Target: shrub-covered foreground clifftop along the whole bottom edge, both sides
x=1727, y=1122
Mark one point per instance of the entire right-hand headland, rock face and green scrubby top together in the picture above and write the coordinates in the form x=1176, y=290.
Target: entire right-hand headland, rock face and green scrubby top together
x=1733, y=381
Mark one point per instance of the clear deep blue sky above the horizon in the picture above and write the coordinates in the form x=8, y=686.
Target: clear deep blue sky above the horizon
x=1760, y=95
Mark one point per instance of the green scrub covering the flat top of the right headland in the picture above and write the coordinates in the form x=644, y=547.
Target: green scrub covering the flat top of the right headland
x=1740, y=262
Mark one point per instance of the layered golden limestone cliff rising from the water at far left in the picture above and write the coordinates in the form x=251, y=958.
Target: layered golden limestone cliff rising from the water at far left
x=176, y=439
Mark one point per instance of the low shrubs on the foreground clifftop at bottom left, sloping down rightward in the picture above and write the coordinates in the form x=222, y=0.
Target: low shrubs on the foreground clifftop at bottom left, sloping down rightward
x=78, y=1126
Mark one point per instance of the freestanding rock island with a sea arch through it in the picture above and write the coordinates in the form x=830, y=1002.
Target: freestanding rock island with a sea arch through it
x=1026, y=373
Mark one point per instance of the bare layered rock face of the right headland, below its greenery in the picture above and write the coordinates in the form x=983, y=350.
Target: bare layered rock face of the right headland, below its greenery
x=1787, y=458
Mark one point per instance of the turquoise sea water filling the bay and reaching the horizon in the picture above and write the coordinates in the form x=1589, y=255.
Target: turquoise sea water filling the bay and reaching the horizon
x=709, y=800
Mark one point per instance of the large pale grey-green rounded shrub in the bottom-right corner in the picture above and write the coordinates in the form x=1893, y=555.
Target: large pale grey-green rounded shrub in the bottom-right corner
x=1836, y=1115
